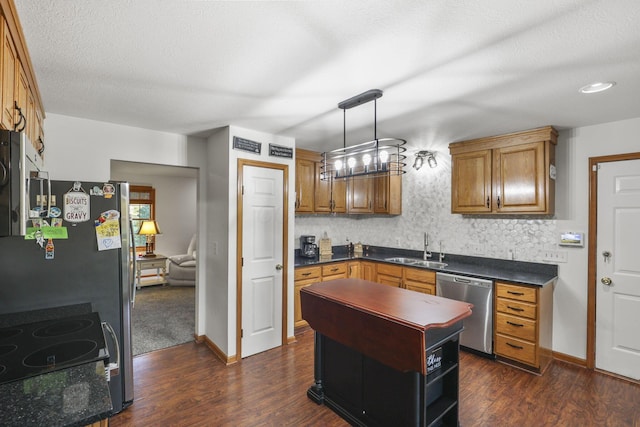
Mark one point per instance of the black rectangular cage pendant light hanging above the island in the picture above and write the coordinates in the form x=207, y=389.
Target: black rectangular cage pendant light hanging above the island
x=378, y=156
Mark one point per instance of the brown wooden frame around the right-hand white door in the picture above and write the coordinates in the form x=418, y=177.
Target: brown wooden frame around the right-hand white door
x=593, y=246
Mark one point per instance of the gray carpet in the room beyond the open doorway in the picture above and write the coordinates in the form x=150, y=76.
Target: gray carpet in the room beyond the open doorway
x=163, y=316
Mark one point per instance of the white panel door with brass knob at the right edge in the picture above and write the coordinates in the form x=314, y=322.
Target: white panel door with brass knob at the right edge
x=618, y=269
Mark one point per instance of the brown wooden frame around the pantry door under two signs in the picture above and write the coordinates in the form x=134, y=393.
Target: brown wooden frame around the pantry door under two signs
x=239, y=246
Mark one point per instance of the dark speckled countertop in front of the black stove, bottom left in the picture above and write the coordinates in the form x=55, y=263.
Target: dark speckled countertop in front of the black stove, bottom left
x=75, y=396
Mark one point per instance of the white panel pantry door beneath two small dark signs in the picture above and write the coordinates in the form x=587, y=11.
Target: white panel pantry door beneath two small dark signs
x=262, y=278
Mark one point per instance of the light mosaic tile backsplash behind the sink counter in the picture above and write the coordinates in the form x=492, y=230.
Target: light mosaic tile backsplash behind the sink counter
x=426, y=207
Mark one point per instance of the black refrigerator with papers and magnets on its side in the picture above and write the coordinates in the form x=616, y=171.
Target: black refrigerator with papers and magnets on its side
x=78, y=273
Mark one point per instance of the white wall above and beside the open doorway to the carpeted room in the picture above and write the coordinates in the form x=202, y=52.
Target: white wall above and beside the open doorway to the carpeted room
x=81, y=149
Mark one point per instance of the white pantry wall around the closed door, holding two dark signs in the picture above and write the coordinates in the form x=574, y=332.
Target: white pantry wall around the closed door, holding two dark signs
x=222, y=227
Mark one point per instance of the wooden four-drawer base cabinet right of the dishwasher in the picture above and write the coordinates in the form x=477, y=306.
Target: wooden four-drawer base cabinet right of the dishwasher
x=523, y=325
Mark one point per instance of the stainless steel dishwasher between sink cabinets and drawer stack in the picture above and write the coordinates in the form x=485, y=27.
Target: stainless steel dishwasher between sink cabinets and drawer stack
x=478, y=328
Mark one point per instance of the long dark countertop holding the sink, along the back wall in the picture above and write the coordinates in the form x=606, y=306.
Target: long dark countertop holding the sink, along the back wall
x=528, y=273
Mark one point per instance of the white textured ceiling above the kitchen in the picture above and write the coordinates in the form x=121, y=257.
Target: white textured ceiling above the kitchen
x=449, y=69
